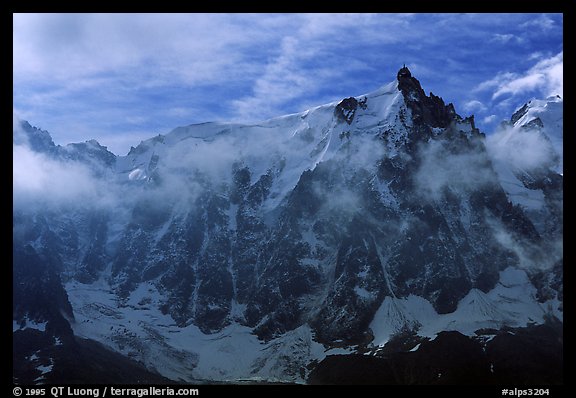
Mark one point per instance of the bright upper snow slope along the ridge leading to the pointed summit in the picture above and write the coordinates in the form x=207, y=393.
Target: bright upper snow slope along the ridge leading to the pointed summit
x=285, y=146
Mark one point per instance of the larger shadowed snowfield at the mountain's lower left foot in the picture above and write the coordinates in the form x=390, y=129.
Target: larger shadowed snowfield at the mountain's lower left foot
x=137, y=329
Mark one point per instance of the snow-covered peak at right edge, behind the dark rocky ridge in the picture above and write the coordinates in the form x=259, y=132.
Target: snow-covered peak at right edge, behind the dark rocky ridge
x=527, y=154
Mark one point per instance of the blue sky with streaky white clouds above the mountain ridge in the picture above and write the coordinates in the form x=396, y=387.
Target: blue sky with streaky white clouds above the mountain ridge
x=122, y=78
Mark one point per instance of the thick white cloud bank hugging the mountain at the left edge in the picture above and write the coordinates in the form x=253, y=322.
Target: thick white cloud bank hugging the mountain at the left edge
x=53, y=182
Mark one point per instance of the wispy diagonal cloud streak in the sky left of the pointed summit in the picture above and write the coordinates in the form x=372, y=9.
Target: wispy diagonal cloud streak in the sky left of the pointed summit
x=310, y=58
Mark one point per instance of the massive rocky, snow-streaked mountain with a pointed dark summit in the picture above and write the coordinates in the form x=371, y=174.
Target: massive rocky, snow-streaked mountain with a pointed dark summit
x=229, y=252
